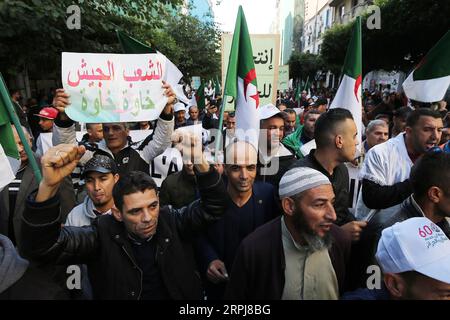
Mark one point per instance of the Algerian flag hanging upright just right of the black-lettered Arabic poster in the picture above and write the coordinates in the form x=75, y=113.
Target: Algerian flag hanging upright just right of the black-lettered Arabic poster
x=348, y=95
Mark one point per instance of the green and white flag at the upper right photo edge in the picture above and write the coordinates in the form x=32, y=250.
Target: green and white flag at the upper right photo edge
x=431, y=78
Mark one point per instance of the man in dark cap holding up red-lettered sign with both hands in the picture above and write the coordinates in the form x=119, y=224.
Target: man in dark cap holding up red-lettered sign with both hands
x=116, y=141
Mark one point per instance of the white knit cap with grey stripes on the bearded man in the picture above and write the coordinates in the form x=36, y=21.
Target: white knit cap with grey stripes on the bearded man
x=300, y=179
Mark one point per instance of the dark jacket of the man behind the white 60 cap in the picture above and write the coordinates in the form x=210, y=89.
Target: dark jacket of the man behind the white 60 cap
x=363, y=253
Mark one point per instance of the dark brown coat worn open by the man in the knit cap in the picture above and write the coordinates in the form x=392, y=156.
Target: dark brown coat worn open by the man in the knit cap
x=258, y=269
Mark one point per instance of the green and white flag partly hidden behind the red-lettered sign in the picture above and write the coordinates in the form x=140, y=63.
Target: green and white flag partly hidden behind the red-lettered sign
x=172, y=74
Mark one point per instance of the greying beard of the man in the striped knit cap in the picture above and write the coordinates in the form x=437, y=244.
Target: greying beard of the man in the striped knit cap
x=313, y=241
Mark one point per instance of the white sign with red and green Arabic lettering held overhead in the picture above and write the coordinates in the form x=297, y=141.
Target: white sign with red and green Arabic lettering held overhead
x=114, y=87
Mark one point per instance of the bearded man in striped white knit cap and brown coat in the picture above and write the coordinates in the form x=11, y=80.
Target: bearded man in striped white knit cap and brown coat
x=301, y=255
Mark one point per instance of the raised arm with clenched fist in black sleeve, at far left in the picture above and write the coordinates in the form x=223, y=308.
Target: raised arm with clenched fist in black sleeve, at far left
x=43, y=237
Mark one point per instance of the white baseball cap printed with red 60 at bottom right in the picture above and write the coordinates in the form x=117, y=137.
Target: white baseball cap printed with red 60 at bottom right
x=416, y=244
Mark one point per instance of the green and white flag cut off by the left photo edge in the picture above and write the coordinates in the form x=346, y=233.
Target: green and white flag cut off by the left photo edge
x=9, y=155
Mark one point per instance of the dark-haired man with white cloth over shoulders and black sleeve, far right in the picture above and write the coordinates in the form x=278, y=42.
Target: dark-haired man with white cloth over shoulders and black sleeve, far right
x=387, y=166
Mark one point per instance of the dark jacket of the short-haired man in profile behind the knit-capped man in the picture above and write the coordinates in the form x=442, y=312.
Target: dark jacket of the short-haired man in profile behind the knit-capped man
x=340, y=183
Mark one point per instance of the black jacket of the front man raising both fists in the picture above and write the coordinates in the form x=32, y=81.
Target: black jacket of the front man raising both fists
x=106, y=249
